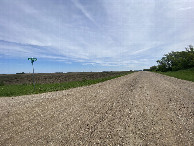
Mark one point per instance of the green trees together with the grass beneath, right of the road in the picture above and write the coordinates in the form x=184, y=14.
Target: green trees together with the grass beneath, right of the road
x=177, y=64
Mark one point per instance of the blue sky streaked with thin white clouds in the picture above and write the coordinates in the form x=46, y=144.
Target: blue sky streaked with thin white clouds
x=91, y=35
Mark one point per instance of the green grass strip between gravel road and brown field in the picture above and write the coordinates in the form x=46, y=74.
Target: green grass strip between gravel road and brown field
x=18, y=90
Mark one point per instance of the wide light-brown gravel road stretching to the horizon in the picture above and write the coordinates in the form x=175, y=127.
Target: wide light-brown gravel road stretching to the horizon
x=142, y=108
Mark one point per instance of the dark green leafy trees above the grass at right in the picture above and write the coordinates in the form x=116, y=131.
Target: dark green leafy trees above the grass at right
x=175, y=61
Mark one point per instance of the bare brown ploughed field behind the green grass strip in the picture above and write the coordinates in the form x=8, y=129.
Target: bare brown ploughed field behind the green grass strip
x=46, y=78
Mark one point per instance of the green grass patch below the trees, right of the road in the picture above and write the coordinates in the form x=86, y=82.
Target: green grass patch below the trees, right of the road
x=181, y=74
